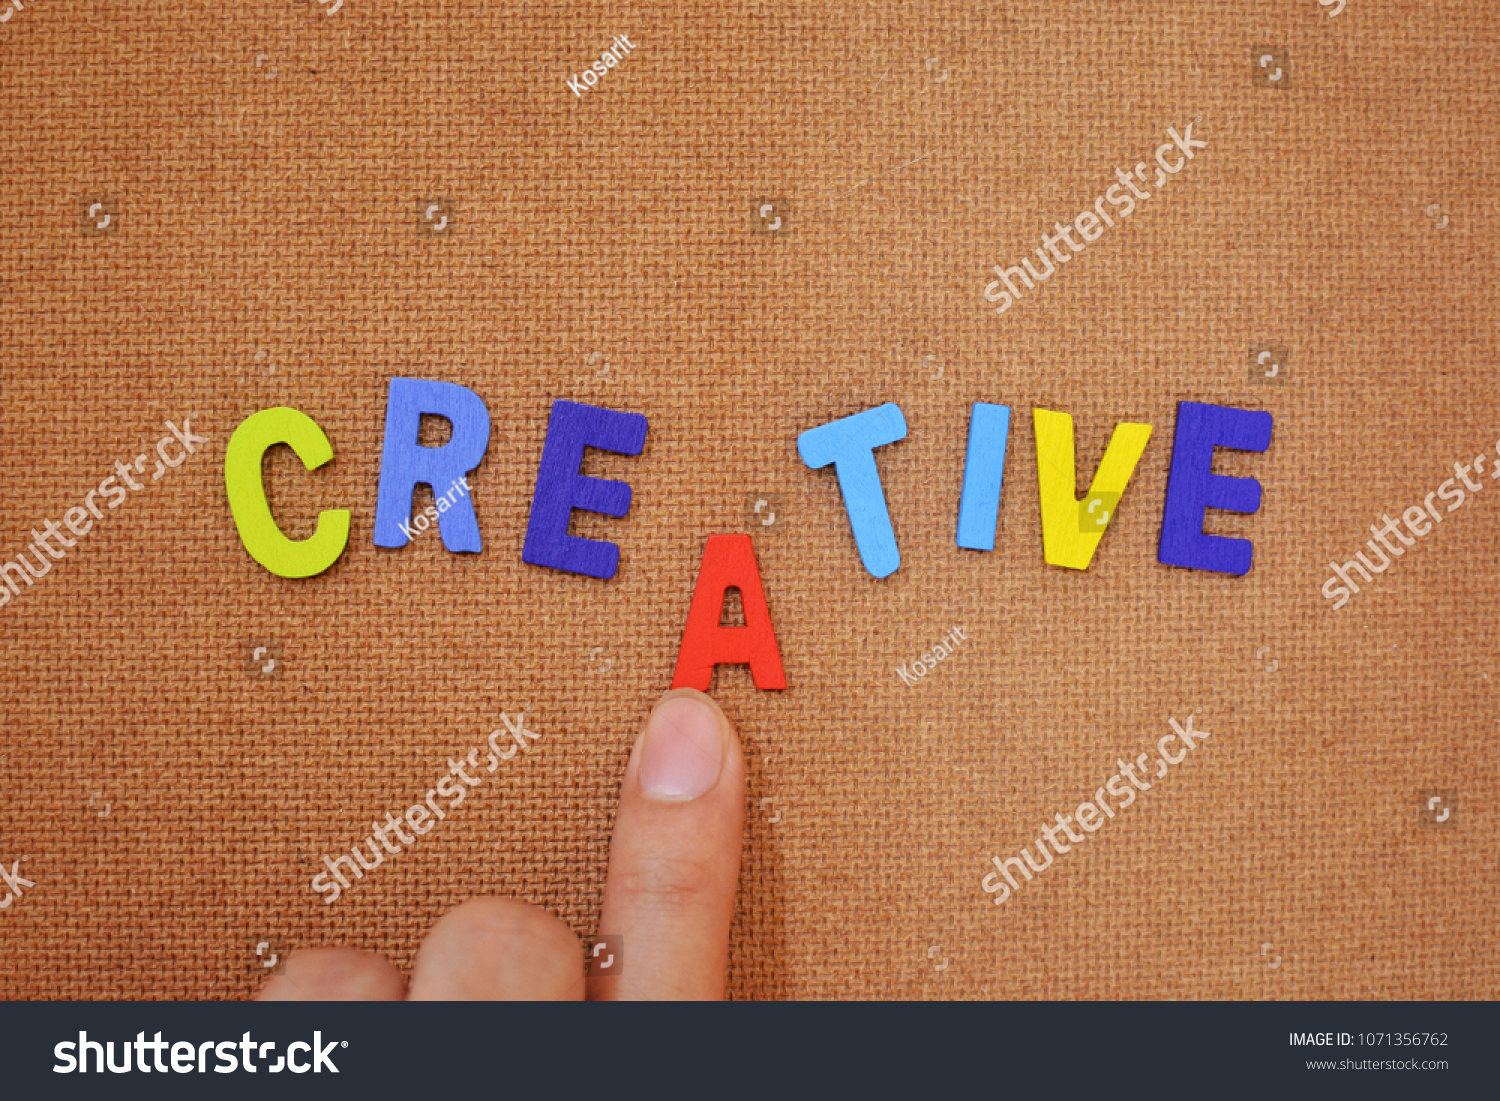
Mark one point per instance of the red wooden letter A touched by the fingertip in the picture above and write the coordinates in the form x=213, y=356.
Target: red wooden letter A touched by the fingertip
x=728, y=562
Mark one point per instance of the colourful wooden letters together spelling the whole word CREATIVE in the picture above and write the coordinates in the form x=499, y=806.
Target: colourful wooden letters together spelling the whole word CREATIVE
x=1072, y=529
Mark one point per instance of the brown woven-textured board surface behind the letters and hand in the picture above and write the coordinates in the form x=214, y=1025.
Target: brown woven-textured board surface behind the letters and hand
x=268, y=164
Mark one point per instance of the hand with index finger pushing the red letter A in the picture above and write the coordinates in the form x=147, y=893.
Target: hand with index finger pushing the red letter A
x=674, y=866
